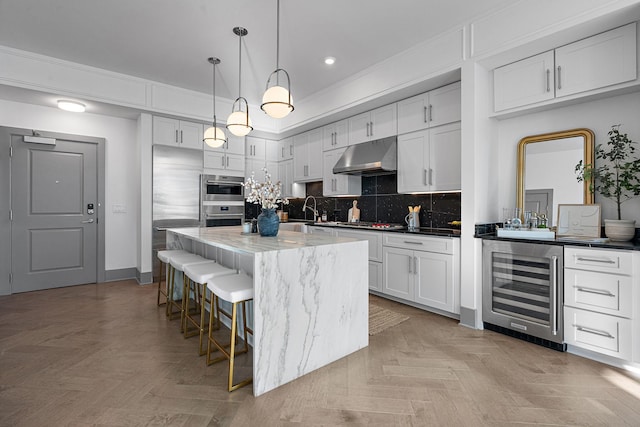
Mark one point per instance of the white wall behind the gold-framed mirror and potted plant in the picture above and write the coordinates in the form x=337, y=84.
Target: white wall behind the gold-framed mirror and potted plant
x=596, y=115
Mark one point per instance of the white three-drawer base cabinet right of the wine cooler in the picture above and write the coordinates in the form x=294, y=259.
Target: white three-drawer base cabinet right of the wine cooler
x=598, y=305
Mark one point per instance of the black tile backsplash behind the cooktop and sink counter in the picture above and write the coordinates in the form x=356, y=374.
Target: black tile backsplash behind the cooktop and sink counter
x=379, y=202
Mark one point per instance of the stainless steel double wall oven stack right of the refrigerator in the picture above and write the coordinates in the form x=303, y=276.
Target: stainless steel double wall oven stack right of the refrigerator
x=221, y=200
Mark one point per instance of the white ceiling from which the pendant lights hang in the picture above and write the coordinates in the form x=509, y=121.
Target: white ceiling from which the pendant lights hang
x=169, y=40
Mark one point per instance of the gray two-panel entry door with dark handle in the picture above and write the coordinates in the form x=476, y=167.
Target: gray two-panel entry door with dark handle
x=54, y=232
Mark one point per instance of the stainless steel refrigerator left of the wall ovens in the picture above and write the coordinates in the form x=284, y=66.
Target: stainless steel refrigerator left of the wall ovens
x=176, y=193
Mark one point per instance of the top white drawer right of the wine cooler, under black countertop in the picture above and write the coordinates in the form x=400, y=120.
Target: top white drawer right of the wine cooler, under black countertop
x=603, y=260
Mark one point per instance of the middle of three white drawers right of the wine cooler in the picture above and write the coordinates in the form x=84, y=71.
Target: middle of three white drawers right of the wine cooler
x=602, y=292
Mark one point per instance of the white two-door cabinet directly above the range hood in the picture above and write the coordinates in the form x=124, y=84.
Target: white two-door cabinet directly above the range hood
x=375, y=124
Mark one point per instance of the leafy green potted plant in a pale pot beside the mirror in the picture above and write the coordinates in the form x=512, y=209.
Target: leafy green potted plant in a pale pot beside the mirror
x=617, y=178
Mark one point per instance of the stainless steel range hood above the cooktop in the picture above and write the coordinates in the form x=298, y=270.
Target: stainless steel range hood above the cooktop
x=377, y=157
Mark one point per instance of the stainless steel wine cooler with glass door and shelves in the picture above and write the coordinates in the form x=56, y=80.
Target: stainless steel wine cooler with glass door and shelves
x=523, y=291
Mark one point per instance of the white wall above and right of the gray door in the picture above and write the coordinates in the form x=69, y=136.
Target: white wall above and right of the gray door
x=122, y=180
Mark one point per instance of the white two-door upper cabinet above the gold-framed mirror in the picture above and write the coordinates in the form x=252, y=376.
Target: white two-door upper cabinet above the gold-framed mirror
x=593, y=63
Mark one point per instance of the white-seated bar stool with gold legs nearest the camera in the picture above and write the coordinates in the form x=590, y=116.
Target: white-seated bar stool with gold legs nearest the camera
x=234, y=288
